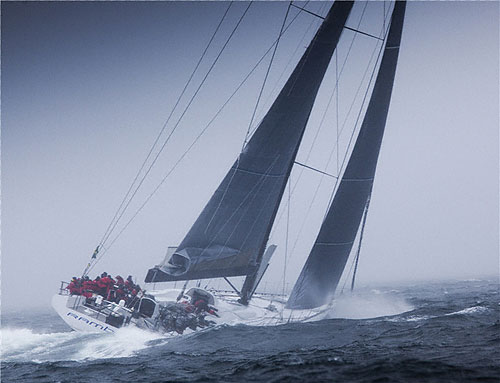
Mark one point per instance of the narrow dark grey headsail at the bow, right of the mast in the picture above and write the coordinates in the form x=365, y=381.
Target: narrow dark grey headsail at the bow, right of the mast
x=321, y=273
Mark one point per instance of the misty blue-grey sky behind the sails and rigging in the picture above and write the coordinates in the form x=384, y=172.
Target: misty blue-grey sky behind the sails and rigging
x=87, y=86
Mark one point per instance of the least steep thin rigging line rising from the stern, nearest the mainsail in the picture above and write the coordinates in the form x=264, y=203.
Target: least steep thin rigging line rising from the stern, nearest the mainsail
x=197, y=138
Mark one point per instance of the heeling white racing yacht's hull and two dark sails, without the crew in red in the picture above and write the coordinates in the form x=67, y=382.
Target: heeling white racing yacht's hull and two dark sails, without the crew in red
x=230, y=236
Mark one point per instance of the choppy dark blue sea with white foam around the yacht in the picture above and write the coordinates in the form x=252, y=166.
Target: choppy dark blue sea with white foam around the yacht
x=432, y=332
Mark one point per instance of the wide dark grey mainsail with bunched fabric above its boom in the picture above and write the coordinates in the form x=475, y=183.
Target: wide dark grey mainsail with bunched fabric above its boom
x=230, y=235
